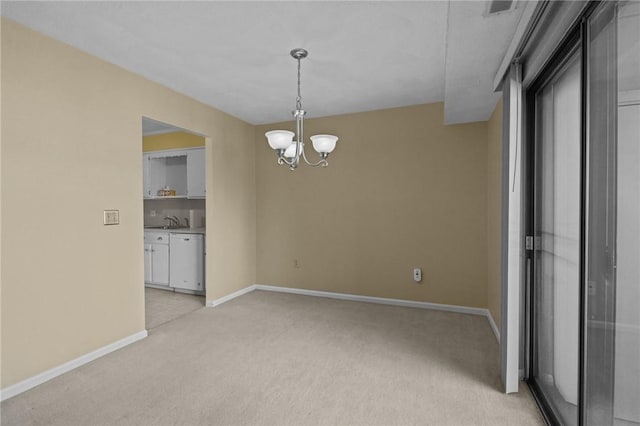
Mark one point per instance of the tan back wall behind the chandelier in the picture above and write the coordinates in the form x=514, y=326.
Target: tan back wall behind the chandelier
x=401, y=191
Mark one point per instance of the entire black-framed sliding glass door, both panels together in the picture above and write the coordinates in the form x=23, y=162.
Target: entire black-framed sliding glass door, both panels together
x=585, y=223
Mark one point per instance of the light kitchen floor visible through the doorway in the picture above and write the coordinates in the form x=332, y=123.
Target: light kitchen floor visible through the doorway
x=162, y=306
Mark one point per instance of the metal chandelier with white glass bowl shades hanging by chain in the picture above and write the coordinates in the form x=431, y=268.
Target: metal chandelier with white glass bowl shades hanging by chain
x=289, y=151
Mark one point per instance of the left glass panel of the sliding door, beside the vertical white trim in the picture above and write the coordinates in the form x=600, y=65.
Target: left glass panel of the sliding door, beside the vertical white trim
x=557, y=238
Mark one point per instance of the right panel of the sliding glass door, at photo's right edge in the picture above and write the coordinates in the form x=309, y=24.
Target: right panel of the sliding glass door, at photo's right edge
x=612, y=262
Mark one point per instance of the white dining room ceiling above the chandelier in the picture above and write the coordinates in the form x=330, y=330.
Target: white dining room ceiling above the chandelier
x=235, y=55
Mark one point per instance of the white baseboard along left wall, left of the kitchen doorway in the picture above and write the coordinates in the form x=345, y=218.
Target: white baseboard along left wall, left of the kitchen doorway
x=38, y=379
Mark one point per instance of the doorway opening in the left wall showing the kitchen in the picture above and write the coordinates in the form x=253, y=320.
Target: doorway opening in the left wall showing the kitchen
x=174, y=201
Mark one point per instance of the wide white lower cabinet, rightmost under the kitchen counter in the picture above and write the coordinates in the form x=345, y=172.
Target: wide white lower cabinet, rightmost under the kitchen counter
x=186, y=265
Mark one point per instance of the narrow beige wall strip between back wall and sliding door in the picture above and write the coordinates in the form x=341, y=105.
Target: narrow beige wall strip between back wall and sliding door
x=494, y=213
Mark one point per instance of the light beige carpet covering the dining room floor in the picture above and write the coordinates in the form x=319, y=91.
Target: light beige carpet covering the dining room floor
x=282, y=359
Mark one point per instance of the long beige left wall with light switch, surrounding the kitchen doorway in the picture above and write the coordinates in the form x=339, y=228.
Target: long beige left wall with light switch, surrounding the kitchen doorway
x=71, y=147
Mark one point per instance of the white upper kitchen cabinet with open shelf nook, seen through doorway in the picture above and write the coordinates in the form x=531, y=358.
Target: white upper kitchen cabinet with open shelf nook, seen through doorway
x=181, y=171
